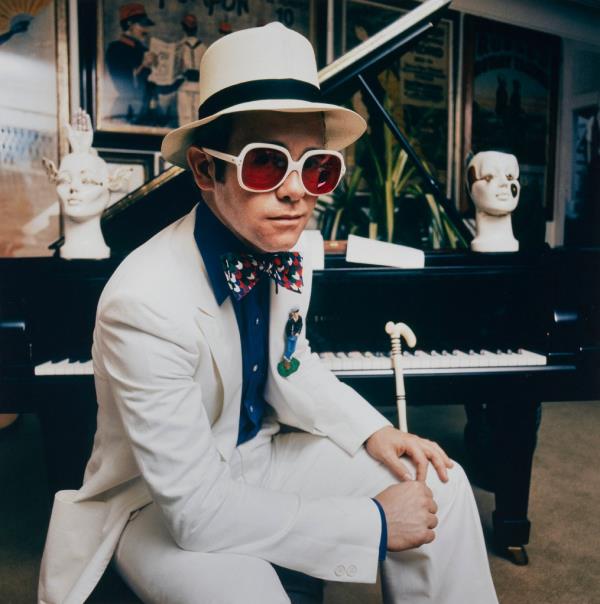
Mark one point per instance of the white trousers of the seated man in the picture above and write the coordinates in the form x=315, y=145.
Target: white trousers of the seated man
x=453, y=569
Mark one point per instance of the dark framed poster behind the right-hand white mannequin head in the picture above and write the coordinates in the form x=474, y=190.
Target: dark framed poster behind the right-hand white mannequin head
x=511, y=89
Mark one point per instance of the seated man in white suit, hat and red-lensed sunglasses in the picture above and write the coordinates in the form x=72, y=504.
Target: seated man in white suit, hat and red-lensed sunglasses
x=191, y=480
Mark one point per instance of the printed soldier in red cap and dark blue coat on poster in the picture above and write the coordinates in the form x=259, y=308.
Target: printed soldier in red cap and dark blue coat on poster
x=129, y=63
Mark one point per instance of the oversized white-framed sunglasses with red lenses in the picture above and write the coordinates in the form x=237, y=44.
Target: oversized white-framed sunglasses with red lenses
x=262, y=167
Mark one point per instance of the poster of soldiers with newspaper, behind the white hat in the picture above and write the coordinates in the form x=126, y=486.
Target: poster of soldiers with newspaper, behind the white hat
x=148, y=55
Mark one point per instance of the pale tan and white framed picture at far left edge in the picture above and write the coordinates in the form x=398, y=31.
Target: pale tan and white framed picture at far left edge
x=33, y=57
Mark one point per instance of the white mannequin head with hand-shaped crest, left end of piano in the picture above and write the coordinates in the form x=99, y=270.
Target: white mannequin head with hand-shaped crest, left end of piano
x=83, y=185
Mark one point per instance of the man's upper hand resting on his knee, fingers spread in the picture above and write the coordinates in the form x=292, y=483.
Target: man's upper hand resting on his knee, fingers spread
x=389, y=444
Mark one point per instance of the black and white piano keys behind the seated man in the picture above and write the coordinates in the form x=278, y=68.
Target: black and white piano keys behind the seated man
x=371, y=363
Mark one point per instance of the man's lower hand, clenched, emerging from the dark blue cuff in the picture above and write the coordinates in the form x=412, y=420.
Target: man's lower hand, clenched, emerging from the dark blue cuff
x=410, y=515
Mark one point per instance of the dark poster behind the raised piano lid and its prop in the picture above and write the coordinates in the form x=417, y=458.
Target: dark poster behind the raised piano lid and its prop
x=419, y=85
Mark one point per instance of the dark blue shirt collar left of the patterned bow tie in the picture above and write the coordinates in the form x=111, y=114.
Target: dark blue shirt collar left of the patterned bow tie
x=214, y=239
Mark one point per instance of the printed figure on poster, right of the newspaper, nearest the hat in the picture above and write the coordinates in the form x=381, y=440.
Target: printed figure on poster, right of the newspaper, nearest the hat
x=191, y=49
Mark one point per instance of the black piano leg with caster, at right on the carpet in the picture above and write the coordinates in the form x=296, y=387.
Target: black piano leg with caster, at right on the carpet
x=514, y=430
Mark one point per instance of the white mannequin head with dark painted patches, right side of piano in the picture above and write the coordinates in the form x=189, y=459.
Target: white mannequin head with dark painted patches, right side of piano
x=493, y=184
